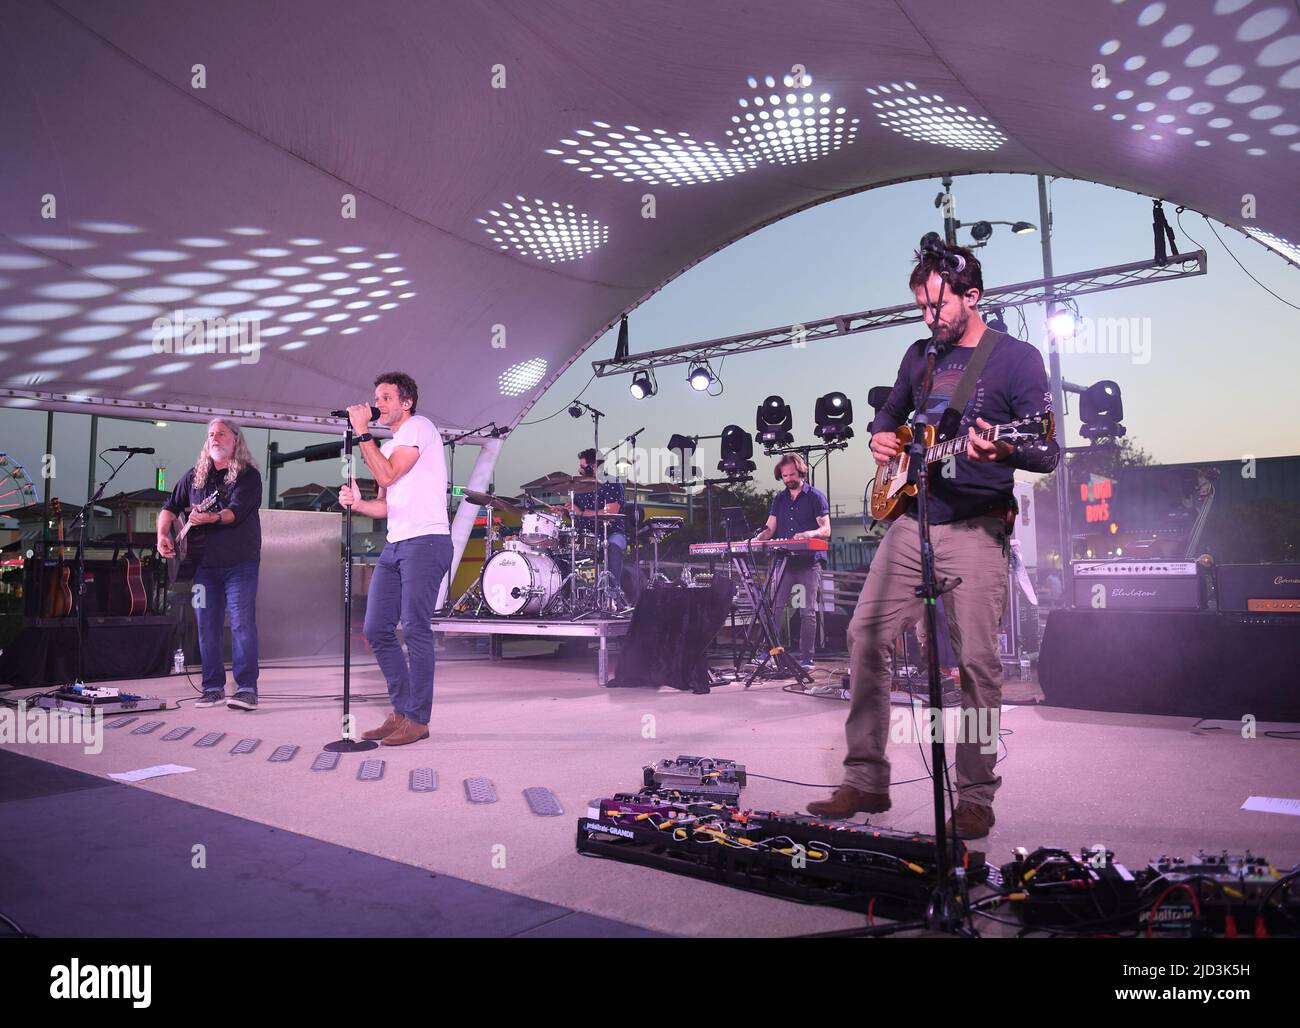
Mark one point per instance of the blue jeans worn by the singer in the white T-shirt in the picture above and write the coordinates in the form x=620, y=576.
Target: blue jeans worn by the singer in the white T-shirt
x=405, y=589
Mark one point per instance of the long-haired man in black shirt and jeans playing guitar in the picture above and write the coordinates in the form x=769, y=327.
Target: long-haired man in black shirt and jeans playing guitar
x=226, y=545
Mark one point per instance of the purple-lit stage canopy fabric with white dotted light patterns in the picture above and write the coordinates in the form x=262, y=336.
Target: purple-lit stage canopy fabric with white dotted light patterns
x=475, y=192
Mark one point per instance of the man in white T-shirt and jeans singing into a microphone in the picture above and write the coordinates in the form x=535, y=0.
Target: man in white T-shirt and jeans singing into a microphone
x=411, y=472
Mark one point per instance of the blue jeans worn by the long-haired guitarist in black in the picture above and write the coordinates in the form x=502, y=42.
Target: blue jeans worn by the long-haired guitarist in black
x=235, y=589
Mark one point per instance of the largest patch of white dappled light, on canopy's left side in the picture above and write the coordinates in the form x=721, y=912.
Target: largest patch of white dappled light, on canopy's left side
x=116, y=310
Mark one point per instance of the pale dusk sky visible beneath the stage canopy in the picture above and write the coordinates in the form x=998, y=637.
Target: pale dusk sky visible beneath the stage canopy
x=1198, y=394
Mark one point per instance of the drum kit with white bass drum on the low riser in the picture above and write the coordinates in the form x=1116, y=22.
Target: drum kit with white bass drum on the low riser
x=556, y=566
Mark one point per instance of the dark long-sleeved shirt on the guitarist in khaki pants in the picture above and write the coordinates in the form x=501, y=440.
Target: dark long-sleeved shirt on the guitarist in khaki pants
x=1015, y=385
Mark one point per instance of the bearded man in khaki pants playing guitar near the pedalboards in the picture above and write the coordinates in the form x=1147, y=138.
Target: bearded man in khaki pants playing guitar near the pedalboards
x=970, y=501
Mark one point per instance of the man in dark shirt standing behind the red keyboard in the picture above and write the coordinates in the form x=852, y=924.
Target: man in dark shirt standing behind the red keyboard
x=799, y=513
